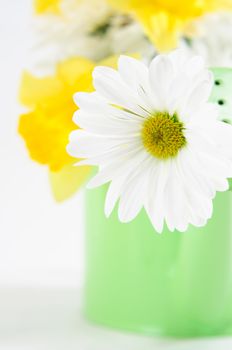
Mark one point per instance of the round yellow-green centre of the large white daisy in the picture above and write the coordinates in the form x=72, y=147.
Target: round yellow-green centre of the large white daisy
x=162, y=135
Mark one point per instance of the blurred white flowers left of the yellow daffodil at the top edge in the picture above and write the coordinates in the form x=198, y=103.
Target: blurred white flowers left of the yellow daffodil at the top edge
x=88, y=28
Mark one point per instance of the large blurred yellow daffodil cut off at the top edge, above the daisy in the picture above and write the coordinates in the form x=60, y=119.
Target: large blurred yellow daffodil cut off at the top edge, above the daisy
x=165, y=20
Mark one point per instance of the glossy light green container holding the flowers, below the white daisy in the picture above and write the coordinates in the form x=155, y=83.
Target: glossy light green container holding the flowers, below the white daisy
x=177, y=284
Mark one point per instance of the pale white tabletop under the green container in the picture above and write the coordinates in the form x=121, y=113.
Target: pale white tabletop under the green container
x=50, y=319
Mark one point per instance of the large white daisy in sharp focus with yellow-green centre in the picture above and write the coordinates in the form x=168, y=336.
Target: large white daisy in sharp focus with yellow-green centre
x=155, y=138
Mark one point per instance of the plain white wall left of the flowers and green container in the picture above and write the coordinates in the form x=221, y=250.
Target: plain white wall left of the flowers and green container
x=40, y=241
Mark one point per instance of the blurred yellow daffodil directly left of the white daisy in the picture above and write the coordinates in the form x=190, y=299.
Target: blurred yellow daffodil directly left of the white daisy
x=46, y=126
